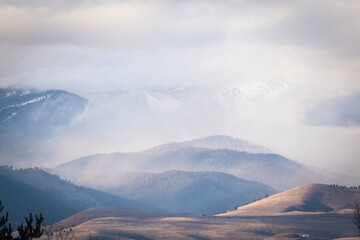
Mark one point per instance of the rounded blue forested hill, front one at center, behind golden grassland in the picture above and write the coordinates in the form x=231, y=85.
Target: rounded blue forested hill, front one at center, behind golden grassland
x=189, y=192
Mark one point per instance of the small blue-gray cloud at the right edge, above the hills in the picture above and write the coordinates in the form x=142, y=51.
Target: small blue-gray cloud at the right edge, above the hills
x=342, y=111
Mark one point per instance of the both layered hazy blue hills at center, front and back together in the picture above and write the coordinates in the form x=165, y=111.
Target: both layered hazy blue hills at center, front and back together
x=214, y=174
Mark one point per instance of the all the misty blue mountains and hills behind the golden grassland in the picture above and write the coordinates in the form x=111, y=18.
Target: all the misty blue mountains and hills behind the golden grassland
x=202, y=176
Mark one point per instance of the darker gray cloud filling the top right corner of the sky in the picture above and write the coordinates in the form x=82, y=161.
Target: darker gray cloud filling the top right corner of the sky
x=328, y=25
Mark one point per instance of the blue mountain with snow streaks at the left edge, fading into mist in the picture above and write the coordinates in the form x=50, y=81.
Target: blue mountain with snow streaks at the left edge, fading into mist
x=28, y=121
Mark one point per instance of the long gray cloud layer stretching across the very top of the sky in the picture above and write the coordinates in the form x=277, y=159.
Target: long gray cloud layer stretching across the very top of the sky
x=329, y=25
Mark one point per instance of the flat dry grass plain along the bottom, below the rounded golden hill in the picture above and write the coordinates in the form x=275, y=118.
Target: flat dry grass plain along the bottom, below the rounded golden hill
x=315, y=226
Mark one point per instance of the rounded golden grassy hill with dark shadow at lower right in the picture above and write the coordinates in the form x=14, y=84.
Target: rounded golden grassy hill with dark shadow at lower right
x=309, y=198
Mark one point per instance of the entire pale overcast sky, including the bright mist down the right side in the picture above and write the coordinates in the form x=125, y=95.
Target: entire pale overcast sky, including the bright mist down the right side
x=309, y=49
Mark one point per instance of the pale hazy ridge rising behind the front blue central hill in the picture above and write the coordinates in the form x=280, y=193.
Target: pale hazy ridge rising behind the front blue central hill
x=268, y=168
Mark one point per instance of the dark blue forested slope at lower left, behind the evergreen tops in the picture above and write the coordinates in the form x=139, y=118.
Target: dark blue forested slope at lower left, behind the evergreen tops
x=34, y=190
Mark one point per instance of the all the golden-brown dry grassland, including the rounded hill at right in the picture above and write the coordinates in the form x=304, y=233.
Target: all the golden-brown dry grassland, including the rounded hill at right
x=313, y=211
